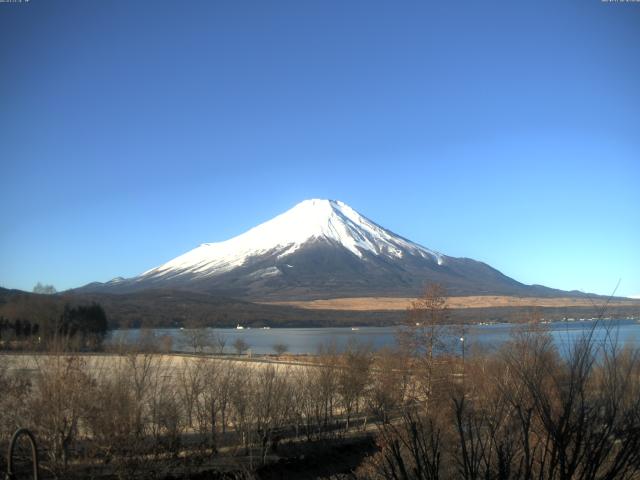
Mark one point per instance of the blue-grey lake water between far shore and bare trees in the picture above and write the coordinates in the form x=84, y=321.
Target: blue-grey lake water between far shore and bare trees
x=307, y=340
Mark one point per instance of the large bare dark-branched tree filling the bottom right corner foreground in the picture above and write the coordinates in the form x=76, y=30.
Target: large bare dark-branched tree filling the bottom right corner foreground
x=586, y=409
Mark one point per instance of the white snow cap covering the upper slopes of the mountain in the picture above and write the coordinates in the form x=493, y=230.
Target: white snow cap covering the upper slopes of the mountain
x=308, y=221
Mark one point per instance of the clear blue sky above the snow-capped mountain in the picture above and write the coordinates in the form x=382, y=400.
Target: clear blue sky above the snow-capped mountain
x=508, y=132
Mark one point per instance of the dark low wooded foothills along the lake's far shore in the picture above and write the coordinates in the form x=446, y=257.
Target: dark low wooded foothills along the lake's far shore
x=177, y=308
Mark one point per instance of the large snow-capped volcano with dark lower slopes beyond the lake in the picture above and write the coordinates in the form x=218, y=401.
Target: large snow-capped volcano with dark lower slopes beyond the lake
x=320, y=249
